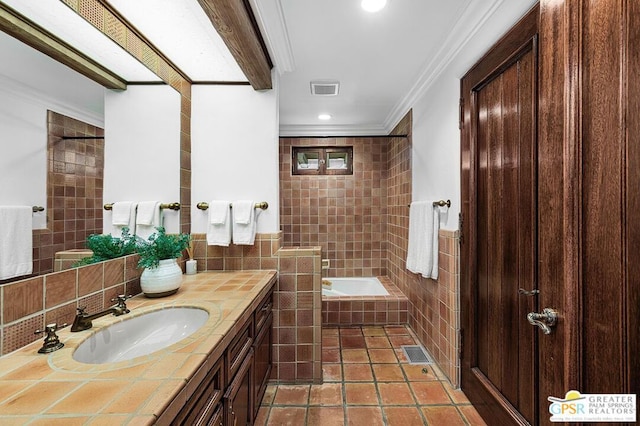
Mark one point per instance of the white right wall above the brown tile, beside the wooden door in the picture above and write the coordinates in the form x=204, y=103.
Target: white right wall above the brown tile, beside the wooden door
x=436, y=137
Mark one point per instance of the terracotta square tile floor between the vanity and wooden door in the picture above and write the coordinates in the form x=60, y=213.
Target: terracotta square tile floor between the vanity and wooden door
x=368, y=381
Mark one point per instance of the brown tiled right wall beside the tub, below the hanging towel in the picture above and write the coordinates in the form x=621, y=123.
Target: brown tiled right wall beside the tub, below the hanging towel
x=433, y=305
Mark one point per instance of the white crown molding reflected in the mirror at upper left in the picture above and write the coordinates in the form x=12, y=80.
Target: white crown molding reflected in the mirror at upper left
x=31, y=95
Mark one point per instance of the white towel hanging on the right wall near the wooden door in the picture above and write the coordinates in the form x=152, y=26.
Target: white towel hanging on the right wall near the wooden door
x=422, y=253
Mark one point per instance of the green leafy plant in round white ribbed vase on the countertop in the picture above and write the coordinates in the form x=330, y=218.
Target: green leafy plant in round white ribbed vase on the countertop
x=161, y=276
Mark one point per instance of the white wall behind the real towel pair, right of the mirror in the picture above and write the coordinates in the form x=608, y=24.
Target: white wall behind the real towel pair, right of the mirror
x=234, y=147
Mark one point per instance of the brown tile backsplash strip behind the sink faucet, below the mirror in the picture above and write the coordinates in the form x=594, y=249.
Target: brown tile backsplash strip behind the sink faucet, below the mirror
x=27, y=305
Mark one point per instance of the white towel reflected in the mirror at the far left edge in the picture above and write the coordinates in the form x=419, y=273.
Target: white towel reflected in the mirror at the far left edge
x=16, y=241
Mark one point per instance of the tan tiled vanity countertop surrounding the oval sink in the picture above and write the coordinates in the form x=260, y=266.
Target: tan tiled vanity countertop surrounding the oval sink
x=50, y=389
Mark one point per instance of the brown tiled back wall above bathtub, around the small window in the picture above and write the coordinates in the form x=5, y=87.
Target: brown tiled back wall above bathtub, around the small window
x=345, y=215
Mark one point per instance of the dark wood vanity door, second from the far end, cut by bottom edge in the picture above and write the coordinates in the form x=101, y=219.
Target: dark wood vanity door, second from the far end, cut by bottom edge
x=237, y=400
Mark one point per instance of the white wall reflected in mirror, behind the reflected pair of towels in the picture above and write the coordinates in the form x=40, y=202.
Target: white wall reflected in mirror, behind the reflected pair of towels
x=142, y=148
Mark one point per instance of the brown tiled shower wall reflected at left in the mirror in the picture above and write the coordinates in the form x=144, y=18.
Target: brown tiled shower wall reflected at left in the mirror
x=74, y=189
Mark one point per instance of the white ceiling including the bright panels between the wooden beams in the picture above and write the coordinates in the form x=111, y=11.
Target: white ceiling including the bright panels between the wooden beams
x=383, y=61
